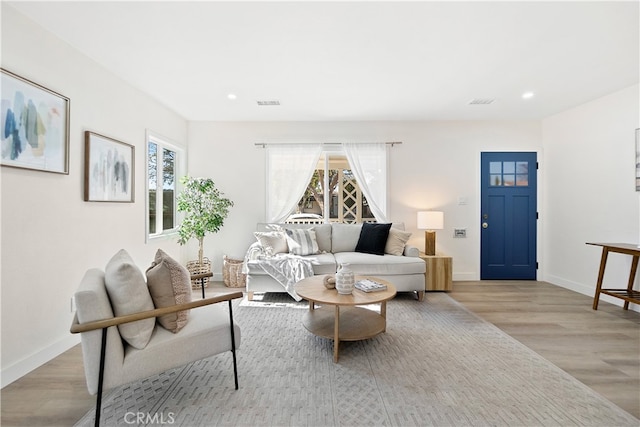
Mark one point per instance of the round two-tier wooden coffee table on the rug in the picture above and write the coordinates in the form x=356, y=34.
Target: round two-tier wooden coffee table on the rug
x=344, y=321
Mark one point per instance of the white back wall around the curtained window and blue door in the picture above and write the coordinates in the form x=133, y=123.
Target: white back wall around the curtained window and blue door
x=437, y=163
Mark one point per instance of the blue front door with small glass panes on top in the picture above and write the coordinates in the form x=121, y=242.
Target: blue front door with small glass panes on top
x=508, y=216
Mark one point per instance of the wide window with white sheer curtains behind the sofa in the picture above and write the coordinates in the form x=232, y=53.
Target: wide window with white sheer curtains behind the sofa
x=347, y=183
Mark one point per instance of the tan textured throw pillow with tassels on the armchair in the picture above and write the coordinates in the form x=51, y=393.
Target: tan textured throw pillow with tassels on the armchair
x=169, y=284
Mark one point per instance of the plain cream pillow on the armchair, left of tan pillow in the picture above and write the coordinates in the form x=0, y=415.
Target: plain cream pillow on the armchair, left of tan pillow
x=129, y=294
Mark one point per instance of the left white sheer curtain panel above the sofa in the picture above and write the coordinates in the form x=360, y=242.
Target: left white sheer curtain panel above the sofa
x=289, y=170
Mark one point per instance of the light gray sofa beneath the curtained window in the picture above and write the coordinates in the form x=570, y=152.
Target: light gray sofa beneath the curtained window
x=337, y=244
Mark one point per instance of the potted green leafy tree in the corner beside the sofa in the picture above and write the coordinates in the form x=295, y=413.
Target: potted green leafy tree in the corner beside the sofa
x=205, y=210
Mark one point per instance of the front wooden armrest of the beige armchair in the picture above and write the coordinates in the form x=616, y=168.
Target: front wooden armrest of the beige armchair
x=114, y=321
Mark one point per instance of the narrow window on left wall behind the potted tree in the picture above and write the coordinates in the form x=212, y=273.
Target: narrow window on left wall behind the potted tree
x=164, y=167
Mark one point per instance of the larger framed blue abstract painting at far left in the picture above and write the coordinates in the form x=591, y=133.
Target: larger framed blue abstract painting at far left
x=35, y=125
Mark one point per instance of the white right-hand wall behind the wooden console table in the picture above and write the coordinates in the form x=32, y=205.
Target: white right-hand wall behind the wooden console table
x=590, y=195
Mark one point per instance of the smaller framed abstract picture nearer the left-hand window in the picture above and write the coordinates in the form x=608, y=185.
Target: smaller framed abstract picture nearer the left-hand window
x=109, y=169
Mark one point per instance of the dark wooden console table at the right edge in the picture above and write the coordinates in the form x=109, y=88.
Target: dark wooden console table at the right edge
x=628, y=294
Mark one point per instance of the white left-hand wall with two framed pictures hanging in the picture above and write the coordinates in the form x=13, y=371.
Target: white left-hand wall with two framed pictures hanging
x=50, y=236
